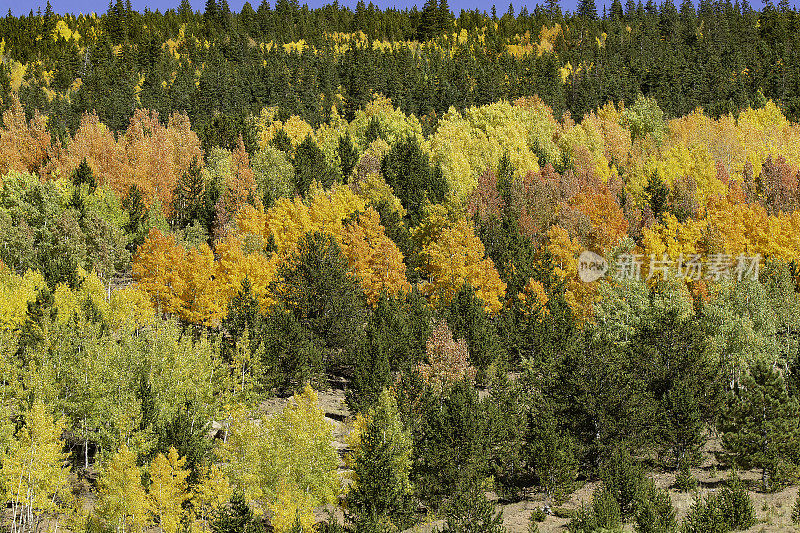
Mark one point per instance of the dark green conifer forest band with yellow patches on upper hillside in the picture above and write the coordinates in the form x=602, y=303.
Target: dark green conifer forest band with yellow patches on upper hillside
x=220, y=67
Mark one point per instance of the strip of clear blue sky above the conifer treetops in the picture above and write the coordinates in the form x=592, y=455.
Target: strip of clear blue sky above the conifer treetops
x=21, y=7
